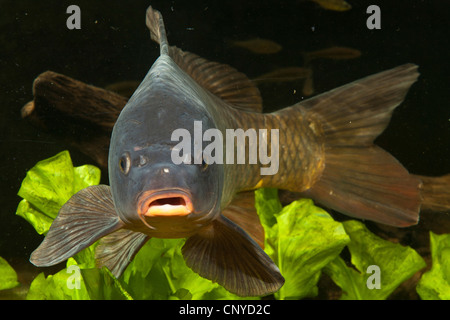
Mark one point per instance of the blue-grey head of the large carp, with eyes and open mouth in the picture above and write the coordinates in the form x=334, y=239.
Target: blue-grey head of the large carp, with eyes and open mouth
x=150, y=190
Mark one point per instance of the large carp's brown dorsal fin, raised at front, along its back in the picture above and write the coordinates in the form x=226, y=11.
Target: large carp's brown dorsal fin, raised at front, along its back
x=220, y=79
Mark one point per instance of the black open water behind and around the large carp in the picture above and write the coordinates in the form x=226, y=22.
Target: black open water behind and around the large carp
x=113, y=45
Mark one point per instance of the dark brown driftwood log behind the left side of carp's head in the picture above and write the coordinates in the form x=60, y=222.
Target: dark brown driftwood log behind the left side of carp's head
x=81, y=114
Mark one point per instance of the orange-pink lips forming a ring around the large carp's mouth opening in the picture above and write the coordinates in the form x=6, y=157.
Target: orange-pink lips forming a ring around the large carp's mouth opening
x=147, y=198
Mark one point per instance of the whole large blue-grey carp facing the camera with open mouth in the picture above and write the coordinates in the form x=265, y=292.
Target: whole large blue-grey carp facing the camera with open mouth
x=325, y=151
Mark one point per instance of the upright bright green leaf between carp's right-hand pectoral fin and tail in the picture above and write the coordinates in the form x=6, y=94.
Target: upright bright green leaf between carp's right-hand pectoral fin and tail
x=303, y=239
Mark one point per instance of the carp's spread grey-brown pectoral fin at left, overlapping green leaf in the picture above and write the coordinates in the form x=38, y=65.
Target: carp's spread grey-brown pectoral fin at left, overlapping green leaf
x=86, y=217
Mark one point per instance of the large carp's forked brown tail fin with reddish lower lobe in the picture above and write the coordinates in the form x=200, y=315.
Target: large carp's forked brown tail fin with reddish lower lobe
x=360, y=179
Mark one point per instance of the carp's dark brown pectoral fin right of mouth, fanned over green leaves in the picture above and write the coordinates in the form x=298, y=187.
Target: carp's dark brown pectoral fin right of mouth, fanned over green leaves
x=225, y=254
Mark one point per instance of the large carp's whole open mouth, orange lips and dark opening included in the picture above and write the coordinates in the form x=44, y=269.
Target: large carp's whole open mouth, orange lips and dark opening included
x=165, y=203
